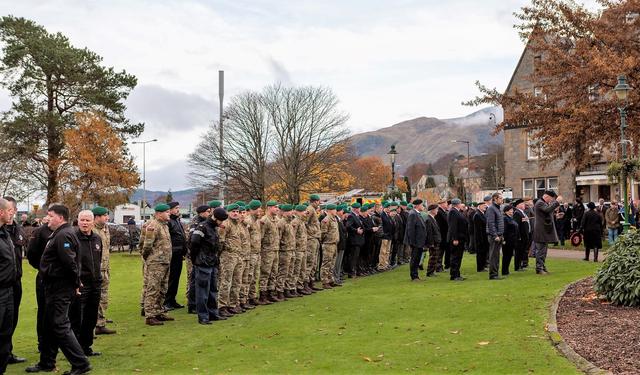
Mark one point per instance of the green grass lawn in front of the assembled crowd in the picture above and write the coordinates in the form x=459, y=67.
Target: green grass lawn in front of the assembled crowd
x=378, y=324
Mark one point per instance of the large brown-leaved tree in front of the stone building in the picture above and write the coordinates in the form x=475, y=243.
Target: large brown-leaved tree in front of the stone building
x=578, y=53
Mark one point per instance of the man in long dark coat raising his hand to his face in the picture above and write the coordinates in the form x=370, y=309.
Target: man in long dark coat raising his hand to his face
x=544, y=231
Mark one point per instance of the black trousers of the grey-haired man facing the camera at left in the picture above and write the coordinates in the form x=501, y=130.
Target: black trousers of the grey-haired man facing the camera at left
x=83, y=314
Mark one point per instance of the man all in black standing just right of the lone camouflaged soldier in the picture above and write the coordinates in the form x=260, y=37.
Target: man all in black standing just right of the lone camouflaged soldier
x=178, y=251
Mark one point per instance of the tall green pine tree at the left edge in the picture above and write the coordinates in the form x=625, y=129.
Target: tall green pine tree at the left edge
x=49, y=81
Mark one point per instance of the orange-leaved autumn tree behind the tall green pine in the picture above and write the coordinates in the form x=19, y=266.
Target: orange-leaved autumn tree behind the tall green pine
x=94, y=165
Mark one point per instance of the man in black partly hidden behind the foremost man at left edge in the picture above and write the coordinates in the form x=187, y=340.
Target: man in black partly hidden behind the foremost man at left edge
x=16, y=232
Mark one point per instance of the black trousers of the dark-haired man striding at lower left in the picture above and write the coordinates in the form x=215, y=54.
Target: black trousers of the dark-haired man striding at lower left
x=57, y=333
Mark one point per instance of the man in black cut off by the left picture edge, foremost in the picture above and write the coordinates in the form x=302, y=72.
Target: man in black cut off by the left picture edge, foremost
x=8, y=275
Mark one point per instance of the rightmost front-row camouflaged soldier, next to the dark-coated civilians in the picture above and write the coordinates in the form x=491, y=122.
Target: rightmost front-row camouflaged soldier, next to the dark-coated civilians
x=330, y=237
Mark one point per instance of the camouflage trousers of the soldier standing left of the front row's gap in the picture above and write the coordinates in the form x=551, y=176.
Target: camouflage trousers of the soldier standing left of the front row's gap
x=156, y=282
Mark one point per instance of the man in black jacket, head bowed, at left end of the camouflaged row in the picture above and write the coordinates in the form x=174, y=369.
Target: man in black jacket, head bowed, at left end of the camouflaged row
x=205, y=255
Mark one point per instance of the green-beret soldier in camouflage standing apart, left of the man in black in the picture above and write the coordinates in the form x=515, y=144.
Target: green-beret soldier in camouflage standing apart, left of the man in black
x=156, y=252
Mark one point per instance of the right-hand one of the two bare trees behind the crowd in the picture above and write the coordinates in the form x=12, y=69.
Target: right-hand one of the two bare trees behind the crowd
x=307, y=127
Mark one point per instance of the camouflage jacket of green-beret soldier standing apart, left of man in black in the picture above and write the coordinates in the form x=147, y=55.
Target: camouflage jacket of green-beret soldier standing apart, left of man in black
x=156, y=242
